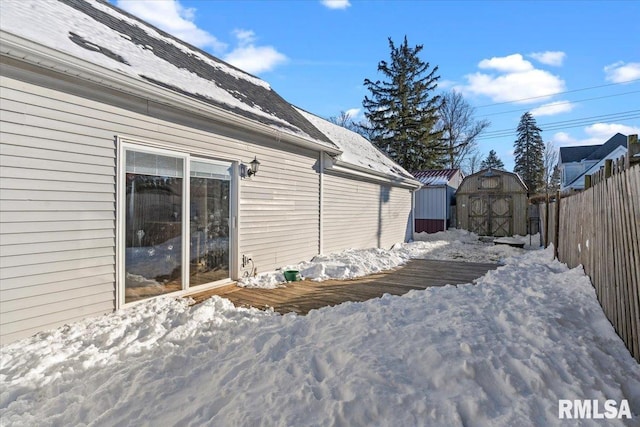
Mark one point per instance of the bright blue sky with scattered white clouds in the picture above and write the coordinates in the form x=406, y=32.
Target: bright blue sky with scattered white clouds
x=575, y=65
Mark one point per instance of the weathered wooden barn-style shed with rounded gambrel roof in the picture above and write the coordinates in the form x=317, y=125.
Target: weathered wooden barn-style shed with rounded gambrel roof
x=493, y=202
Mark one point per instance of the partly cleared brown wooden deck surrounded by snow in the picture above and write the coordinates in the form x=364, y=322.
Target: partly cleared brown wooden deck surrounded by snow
x=301, y=297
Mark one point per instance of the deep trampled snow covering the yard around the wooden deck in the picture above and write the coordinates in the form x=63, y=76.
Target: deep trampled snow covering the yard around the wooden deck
x=500, y=352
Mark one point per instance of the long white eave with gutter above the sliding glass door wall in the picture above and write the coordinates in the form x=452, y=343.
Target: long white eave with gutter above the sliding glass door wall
x=42, y=56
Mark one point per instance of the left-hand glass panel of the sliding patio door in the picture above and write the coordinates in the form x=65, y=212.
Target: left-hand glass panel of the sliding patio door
x=153, y=225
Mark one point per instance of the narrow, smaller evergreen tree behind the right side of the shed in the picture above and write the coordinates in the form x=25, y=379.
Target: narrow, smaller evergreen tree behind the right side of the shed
x=529, y=154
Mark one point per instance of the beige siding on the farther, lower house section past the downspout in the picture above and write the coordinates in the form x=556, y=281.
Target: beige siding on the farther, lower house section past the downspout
x=361, y=214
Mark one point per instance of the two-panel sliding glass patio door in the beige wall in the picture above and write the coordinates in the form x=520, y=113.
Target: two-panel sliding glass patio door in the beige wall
x=176, y=231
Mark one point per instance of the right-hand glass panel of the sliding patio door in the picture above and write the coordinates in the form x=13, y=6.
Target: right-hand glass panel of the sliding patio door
x=209, y=222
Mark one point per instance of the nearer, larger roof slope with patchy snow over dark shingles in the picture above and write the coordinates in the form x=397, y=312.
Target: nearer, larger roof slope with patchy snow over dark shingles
x=101, y=34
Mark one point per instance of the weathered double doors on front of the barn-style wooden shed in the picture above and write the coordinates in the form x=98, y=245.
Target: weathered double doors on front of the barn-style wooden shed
x=491, y=215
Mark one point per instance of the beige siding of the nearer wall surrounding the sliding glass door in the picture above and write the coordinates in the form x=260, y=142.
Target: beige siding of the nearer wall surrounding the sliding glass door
x=58, y=169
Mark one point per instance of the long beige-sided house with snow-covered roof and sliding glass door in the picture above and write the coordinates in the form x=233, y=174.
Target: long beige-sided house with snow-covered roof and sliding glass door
x=134, y=165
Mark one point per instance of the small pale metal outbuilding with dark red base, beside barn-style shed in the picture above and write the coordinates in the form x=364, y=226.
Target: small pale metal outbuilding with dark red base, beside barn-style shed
x=433, y=208
